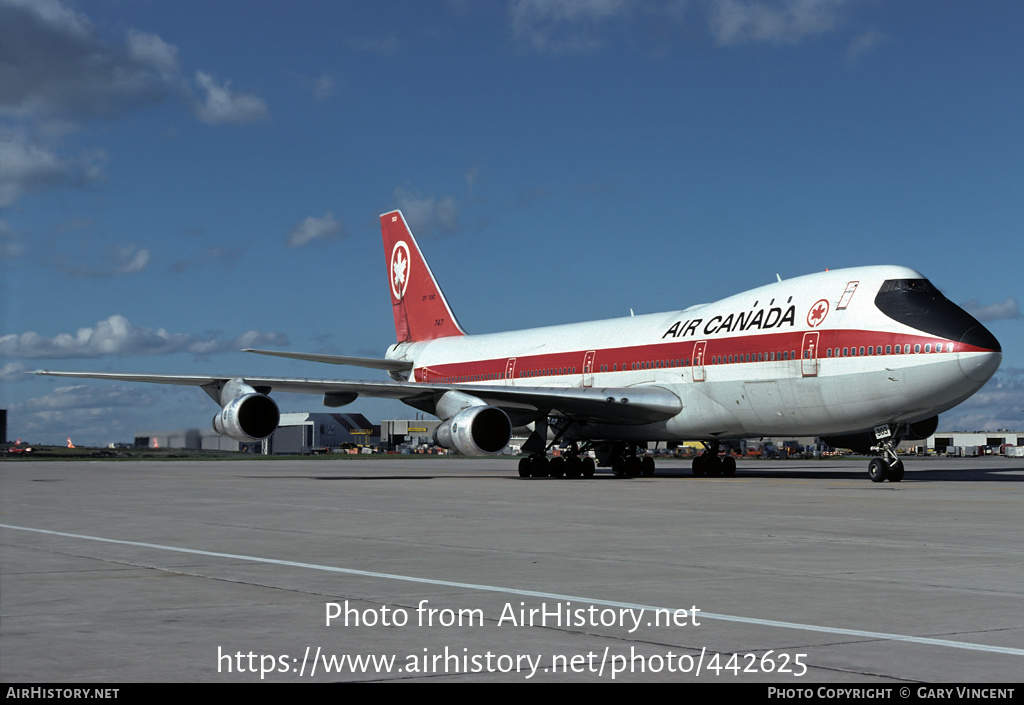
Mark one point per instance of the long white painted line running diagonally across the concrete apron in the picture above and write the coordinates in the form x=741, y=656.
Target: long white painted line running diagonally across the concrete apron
x=950, y=644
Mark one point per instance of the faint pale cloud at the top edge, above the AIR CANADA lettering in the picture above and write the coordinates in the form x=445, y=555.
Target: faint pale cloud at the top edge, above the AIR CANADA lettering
x=785, y=22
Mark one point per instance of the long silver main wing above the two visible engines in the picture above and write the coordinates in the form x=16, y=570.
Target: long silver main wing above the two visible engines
x=601, y=405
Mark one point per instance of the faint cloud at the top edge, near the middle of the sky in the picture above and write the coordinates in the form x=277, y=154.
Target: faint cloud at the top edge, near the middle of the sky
x=563, y=26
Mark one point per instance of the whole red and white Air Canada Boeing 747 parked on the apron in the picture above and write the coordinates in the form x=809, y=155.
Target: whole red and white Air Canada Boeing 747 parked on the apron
x=862, y=357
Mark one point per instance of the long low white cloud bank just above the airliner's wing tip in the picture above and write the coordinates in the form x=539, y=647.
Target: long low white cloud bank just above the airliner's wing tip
x=118, y=337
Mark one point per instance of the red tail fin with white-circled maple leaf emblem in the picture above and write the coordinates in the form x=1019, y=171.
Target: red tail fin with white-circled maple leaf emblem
x=420, y=310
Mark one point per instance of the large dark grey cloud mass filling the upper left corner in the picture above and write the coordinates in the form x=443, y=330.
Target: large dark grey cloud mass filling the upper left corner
x=57, y=72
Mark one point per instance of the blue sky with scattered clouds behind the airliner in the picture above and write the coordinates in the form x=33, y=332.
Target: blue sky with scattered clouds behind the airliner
x=182, y=180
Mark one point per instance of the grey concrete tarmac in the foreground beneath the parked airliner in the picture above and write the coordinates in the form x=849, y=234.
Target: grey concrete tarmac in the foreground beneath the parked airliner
x=457, y=570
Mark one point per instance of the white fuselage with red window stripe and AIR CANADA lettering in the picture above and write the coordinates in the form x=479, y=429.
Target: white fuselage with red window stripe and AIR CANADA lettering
x=805, y=357
